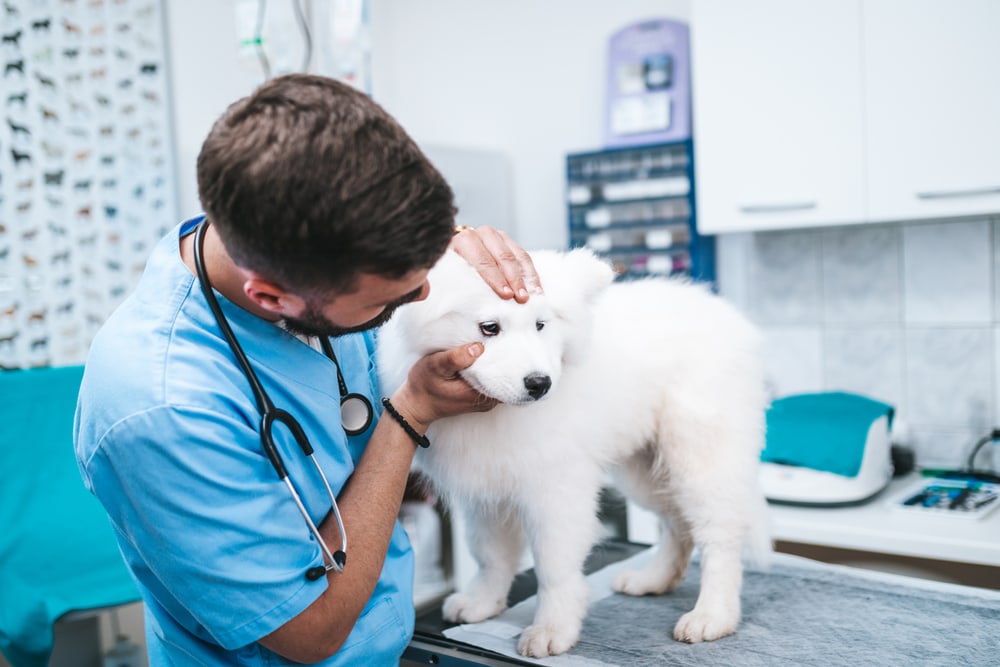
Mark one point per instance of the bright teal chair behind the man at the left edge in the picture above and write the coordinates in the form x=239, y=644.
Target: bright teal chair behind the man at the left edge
x=58, y=555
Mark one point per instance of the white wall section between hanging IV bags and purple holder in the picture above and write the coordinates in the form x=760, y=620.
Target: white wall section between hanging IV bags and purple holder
x=523, y=77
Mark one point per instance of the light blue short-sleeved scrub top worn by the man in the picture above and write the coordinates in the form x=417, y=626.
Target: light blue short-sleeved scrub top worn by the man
x=167, y=438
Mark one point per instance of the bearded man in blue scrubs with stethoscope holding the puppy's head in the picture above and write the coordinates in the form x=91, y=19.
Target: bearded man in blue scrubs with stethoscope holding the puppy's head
x=249, y=330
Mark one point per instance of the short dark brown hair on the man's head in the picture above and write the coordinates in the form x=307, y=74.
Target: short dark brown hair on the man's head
x=310, y=182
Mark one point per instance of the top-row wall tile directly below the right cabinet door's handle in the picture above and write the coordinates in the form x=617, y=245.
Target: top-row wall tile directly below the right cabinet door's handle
x=947, y=273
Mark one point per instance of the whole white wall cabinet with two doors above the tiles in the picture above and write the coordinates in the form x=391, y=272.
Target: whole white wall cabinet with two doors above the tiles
x=844, y=111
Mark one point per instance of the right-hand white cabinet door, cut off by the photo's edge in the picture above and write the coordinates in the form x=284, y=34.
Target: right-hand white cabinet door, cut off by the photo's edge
x=933, y=107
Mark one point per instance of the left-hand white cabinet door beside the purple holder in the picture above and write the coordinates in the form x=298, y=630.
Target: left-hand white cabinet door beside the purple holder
x=777, y=113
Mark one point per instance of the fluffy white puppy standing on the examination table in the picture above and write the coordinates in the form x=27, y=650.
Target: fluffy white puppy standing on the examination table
x=657, y=382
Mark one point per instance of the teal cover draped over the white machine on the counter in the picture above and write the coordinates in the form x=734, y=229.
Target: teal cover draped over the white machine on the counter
x=824, y=431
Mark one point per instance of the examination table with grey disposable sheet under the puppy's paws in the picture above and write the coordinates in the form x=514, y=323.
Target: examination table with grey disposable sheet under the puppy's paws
x=797, y=612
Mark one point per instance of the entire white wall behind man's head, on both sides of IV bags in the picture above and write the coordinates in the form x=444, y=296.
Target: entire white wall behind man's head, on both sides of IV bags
x=521, y=78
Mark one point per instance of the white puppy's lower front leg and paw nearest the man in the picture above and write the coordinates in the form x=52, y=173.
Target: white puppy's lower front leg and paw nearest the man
x=497, y=542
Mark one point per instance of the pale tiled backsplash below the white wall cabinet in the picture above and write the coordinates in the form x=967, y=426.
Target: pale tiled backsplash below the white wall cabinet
x=907, y=313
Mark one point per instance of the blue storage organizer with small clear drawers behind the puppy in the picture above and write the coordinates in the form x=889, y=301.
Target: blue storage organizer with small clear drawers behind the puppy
x=636, y=207
